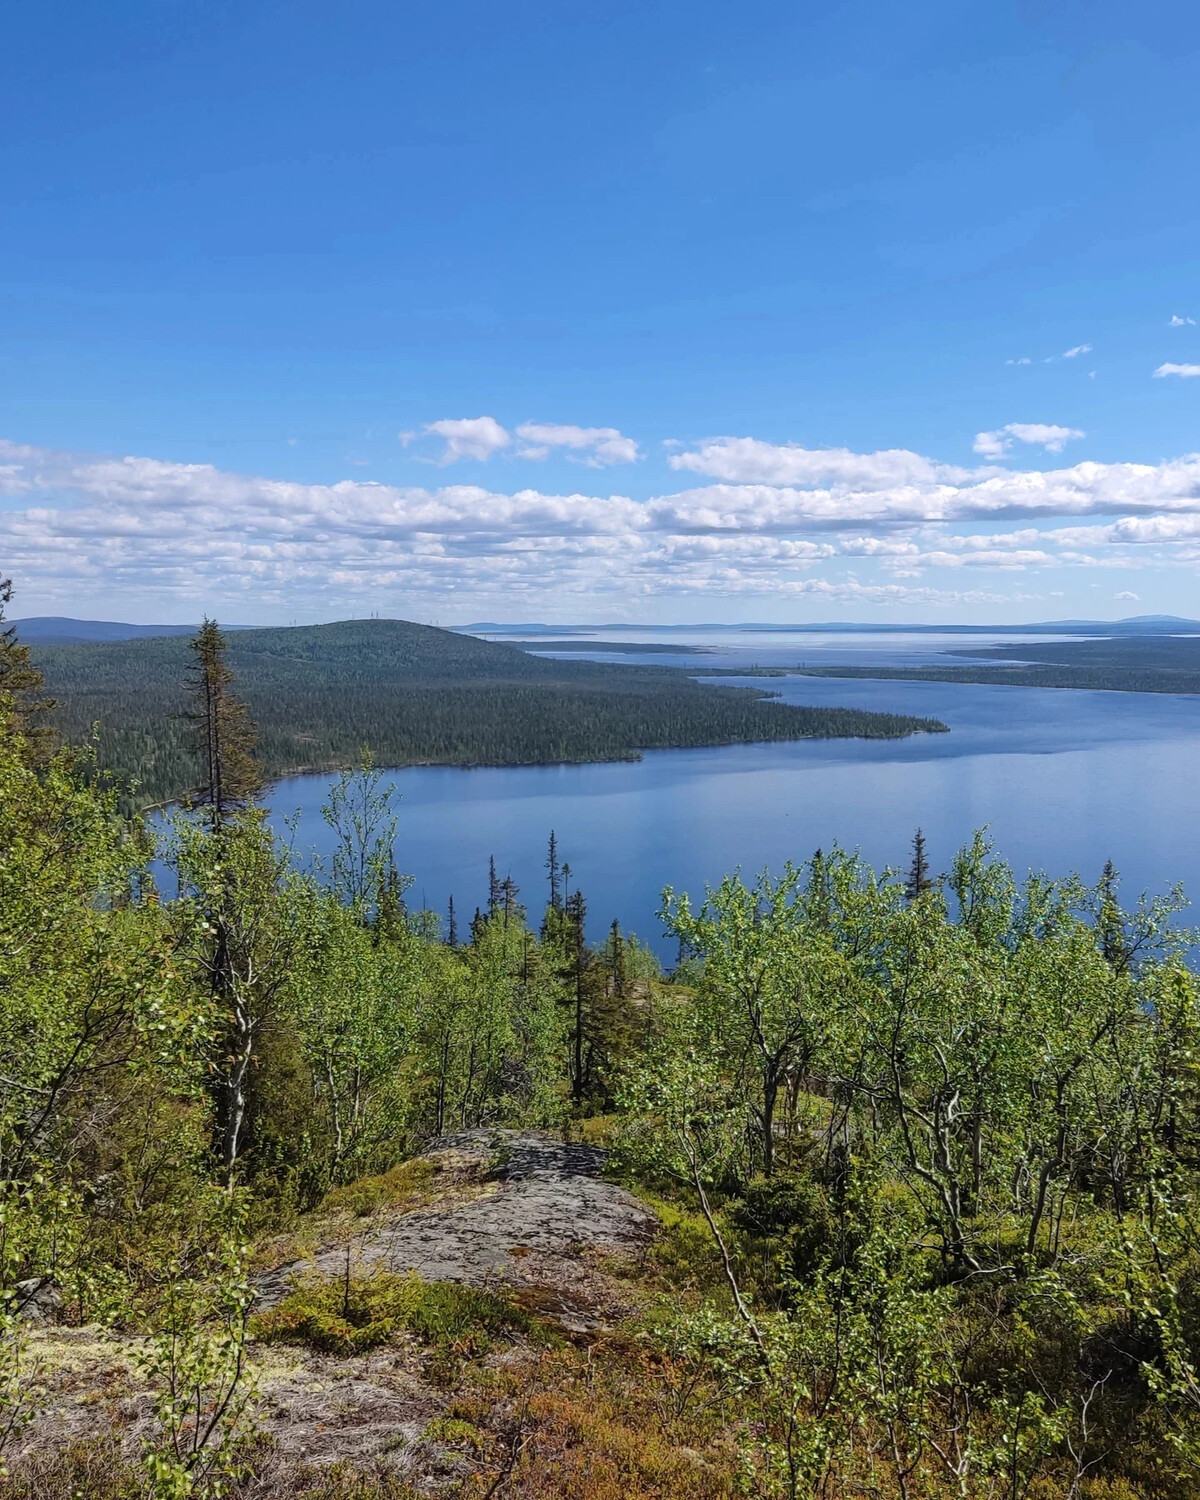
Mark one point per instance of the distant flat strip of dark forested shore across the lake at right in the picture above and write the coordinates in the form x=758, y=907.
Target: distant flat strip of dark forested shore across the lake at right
x=1120, y=665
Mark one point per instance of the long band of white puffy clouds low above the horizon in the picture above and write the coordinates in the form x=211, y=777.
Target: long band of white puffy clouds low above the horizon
x=766, y=520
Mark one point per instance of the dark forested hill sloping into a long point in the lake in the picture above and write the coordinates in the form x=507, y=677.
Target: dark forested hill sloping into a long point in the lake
x=415, y=695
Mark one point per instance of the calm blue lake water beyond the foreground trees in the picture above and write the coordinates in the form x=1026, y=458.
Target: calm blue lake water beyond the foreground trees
x=1064, y=779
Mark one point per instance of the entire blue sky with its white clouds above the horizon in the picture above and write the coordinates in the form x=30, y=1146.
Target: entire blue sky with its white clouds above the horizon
x=628, y=311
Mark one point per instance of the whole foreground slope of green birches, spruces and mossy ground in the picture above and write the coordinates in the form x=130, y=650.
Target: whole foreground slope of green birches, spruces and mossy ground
x=919, y=1150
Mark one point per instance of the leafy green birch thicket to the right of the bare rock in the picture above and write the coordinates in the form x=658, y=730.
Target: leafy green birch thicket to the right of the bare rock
x=973, y=1283
